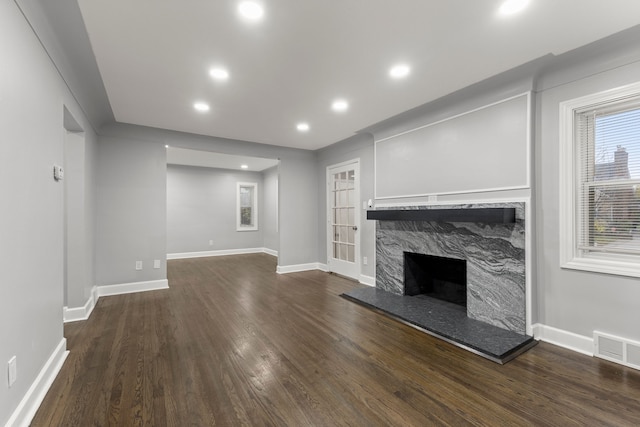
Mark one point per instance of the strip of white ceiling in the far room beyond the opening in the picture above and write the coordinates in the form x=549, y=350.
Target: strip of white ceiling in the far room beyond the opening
x=183, y=156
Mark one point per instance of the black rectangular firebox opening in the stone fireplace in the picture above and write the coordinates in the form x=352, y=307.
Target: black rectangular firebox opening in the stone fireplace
x=436, y=277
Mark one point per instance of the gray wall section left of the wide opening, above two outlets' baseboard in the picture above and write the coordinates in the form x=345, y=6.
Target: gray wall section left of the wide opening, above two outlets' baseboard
x=131, y=210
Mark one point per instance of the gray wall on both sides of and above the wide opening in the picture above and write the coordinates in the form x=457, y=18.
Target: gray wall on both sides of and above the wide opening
x=126, y=222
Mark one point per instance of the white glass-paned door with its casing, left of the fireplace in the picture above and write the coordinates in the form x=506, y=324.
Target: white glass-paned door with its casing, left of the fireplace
x=343, y=218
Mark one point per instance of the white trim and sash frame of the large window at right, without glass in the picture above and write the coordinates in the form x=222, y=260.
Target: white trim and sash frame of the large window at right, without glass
x=570, y=256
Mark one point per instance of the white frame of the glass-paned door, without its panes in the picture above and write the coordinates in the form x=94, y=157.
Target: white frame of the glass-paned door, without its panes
x=357, y=219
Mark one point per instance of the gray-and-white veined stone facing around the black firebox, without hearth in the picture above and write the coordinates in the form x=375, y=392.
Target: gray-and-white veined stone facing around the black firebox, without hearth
x=495, y=255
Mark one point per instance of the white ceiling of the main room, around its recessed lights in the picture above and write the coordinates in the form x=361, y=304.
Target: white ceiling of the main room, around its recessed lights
x=154, y=57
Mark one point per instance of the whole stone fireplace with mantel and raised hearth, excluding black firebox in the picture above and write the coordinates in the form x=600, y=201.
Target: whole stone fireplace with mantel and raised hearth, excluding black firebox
x=491, y=238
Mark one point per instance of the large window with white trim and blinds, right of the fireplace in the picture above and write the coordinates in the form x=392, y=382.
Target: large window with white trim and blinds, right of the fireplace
x=600, y=182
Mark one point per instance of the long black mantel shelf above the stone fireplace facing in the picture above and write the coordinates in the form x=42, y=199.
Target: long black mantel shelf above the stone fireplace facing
x=483, y=215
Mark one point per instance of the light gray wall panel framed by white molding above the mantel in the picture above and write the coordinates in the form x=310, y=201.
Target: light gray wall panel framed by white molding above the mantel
x=462, y=154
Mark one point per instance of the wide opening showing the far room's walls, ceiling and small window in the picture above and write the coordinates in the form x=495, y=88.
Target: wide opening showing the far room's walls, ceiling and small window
x=221, y=204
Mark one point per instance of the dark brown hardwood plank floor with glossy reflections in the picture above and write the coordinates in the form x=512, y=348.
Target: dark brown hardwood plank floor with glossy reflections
x=233, y=343
